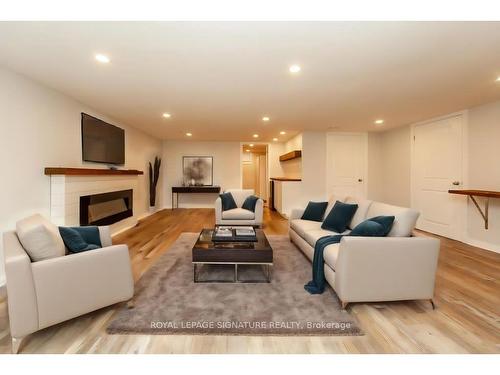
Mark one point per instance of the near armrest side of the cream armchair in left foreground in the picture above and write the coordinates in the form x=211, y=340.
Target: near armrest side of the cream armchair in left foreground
x=76, y=284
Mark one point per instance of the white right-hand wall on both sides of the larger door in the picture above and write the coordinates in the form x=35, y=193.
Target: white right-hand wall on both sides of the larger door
x=393, y=152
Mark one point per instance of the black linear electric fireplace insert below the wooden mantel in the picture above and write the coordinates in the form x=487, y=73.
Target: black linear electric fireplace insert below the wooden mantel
x=106, y=208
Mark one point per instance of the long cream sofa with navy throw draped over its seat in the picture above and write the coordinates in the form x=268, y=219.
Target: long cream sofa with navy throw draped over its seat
x=400, y=266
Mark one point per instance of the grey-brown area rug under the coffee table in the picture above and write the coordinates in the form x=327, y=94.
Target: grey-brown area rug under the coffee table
x=167, y=301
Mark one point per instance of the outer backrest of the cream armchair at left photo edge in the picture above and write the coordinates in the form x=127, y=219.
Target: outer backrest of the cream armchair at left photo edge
x=21, y=292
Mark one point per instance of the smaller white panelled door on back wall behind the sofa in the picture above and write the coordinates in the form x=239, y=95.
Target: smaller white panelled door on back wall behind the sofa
x=346, y=164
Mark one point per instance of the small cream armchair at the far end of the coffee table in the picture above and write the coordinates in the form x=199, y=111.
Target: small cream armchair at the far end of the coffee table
x=239, y=216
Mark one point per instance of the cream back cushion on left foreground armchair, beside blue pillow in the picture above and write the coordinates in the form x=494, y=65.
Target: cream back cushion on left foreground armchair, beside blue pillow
x=40, y=238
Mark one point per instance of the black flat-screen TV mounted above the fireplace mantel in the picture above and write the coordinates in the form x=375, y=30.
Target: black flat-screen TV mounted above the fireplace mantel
x=102, y=142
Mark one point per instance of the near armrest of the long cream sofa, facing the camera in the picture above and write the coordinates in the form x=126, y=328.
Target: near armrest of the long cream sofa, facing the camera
x=386, y=268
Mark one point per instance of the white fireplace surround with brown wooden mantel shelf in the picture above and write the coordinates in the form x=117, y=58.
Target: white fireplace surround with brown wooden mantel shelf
x=67, y=185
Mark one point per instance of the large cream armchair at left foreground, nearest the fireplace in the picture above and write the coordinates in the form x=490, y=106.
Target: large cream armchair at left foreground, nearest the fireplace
x=47, y=292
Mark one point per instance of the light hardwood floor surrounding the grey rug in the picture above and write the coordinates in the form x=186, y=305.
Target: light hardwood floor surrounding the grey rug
x=466, y=319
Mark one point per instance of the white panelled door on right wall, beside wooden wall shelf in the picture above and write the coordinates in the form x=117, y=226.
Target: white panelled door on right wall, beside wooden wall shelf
x=437, y=167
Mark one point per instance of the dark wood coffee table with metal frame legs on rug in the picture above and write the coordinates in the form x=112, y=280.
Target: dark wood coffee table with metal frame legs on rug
x=205, y=251
